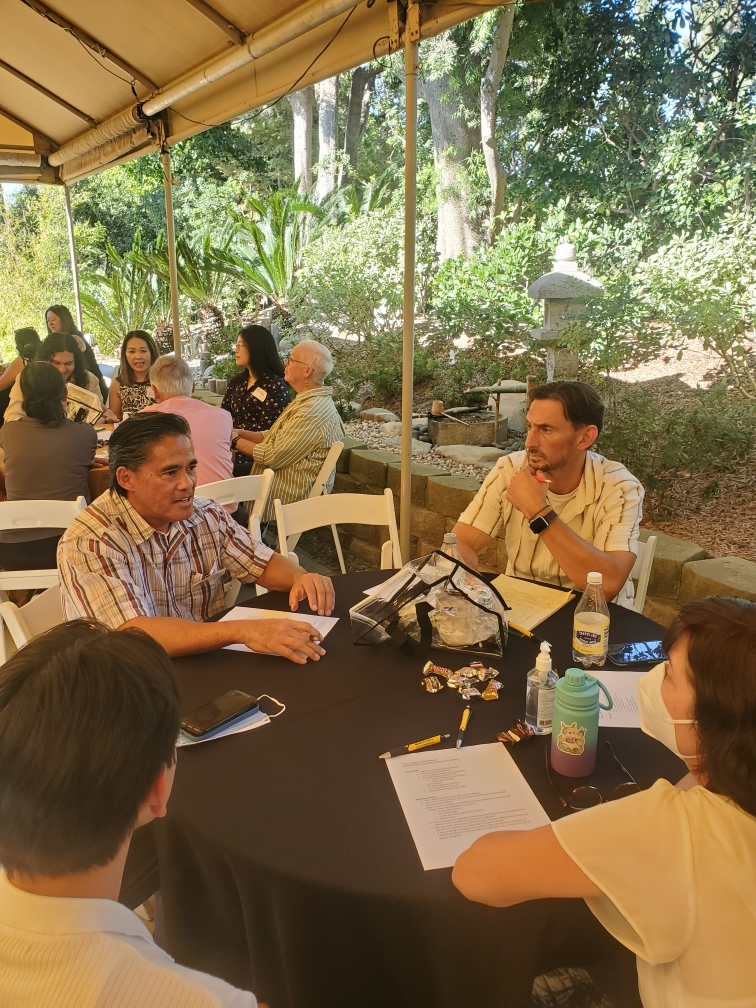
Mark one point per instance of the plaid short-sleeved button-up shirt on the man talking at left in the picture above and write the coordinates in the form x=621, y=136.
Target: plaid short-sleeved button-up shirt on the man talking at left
x=115, y=567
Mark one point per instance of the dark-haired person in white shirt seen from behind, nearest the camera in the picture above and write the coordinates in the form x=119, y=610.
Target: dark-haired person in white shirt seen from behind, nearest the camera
x=89, y=720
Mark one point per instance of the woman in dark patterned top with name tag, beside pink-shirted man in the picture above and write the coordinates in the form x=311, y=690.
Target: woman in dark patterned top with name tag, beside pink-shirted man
x=258, y=395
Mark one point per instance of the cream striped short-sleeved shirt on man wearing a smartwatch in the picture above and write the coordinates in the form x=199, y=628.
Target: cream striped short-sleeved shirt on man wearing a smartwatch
x=605, y=511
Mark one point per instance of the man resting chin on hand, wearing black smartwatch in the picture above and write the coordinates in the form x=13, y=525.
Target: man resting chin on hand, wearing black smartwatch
x=581, y=515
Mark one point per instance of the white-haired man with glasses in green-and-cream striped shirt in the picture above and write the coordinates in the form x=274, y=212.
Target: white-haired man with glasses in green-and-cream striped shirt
x=298, y=443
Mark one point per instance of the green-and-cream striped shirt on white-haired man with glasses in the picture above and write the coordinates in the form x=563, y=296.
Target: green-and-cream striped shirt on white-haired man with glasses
x=297, y=446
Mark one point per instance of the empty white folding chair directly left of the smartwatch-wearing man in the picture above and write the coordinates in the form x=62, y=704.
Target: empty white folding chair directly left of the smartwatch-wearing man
x=339, y=510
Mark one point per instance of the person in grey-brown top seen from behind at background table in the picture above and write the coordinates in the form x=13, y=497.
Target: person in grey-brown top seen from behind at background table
x=47, y=458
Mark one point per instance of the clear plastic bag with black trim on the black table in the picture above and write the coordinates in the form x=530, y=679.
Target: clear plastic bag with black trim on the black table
x=435, y=601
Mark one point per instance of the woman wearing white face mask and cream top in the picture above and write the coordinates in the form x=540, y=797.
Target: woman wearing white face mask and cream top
x=671, y=872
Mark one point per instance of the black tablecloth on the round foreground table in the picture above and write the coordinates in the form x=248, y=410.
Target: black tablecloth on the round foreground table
x=288, y=867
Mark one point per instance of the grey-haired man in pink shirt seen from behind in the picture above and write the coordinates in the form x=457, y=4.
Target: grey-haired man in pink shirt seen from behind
x=211, y=427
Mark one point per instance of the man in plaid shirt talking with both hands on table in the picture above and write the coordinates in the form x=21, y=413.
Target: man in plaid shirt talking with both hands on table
x=147, y=555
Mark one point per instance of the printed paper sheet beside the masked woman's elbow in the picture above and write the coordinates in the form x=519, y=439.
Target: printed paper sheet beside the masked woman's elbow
x=453, y=797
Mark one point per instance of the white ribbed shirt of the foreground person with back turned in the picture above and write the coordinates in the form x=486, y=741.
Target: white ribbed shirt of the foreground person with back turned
x=61, y=953
